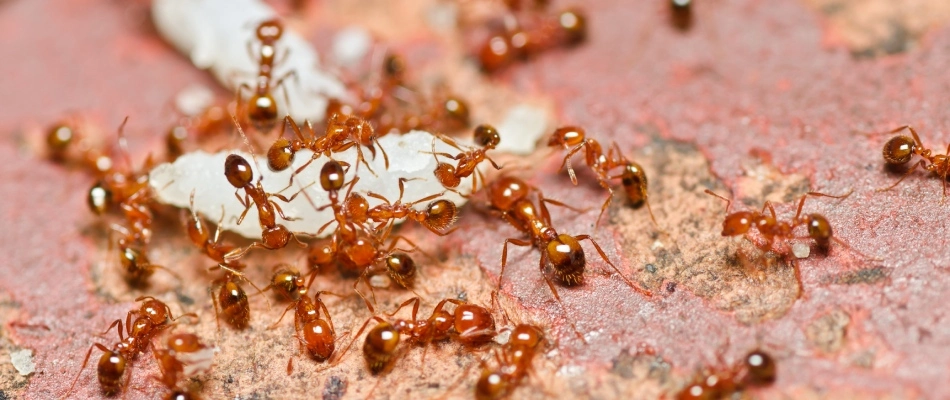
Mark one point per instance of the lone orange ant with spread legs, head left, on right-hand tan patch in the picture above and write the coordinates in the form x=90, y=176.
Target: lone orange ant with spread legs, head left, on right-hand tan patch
x=773, y=230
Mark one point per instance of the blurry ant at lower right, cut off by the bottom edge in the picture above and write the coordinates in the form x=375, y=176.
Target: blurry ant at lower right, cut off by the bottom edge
x=756, y=370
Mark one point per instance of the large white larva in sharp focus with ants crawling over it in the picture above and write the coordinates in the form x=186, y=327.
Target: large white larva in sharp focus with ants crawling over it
x=409, y=157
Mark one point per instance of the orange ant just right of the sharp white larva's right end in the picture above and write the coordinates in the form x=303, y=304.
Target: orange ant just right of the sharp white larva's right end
x=633, y=178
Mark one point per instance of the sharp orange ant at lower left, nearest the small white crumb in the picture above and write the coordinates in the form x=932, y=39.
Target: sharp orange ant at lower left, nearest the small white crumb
x=152, y=317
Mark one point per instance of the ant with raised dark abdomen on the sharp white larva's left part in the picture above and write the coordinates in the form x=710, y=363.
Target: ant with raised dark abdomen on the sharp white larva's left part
x=274, y=235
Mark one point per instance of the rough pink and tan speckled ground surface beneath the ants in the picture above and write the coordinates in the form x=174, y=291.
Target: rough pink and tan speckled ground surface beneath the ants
x=763, y=100
